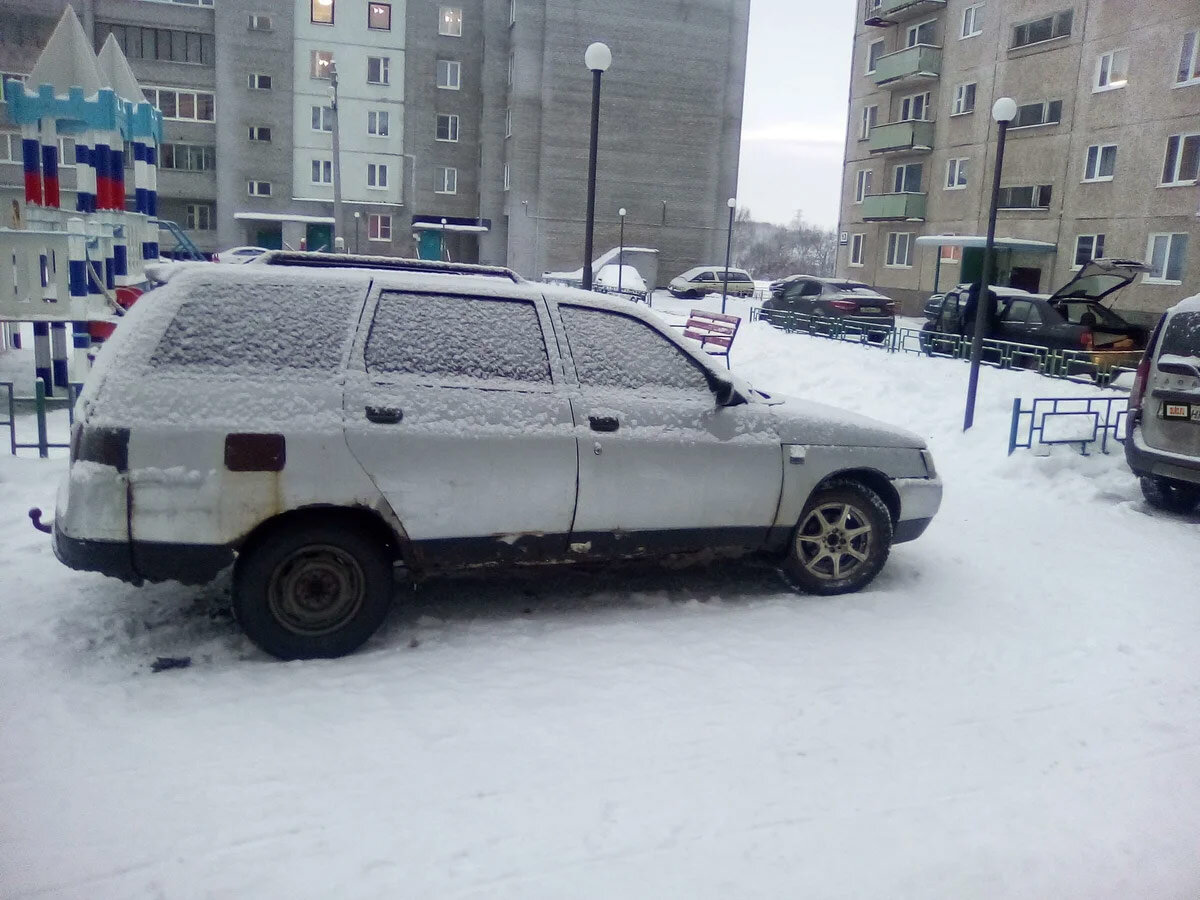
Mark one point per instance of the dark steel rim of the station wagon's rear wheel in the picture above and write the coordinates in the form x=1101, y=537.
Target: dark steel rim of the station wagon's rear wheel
x=316, y=591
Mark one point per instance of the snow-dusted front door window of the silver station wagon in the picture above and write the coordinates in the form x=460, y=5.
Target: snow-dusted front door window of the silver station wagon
x=615, y=351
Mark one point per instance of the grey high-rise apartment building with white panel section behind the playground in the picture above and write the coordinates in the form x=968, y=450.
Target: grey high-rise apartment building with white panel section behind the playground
x=463, y=127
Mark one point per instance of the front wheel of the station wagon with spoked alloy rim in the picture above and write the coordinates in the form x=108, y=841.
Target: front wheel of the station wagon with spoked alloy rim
x=842, y=520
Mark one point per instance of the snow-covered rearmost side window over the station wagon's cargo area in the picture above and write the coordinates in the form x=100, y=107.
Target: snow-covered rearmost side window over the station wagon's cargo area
x=262, y=327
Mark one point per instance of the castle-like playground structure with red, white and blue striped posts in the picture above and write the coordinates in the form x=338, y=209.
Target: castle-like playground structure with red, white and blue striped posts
x=64, y=268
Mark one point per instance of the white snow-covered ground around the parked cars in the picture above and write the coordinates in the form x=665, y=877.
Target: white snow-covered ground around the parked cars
x=1011, y=711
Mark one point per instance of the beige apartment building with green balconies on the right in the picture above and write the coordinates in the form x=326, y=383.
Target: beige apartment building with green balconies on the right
x=1102, y=159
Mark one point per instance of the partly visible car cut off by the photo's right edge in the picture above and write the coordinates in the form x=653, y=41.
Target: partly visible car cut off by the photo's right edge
x=1163, y=447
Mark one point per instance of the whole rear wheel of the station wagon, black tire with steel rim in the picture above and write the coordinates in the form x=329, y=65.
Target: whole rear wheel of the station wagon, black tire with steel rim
x=286, y=584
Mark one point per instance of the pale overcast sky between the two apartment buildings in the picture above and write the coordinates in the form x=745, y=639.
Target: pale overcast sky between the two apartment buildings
x=795, y=117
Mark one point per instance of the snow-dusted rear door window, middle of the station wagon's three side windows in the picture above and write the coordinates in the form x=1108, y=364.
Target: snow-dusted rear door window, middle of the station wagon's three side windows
x=458, y=337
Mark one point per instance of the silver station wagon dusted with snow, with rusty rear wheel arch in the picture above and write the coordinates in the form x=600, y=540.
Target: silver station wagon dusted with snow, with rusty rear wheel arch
x=316, y=421
